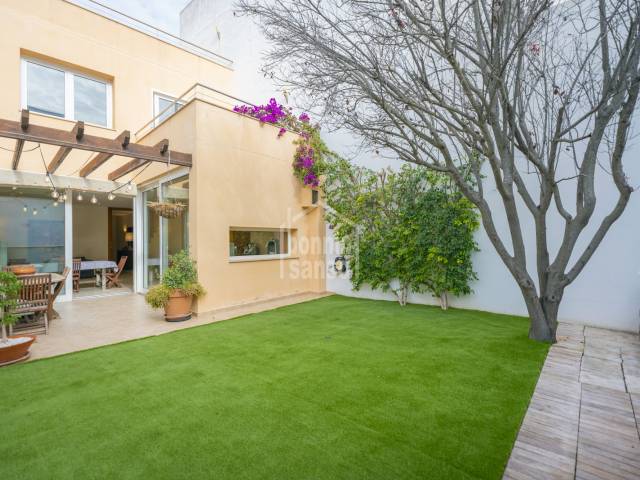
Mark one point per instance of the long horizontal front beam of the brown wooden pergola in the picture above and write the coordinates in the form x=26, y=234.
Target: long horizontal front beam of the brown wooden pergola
x=61, y=138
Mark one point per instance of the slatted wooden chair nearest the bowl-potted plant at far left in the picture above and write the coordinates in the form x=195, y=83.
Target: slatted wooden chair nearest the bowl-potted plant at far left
x=34, y=299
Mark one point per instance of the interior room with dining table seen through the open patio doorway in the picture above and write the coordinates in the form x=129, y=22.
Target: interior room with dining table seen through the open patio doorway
x=103, y=238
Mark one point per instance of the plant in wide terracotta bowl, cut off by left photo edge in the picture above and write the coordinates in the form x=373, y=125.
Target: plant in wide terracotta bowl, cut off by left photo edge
x=16, y=348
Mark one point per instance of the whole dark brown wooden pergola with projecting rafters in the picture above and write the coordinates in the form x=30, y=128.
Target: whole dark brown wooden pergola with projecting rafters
x=23, y=131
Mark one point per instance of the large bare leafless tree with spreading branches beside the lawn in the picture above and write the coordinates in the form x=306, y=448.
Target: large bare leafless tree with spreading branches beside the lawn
x=527, y=97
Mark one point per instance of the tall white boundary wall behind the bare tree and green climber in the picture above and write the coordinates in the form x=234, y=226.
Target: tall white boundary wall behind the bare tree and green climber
x=606, y=294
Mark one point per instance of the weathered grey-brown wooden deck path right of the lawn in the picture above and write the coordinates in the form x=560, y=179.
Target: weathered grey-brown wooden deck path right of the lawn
x=583, y=419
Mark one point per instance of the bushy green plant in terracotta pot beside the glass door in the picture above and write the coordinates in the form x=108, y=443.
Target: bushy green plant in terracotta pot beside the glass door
x=177, y=289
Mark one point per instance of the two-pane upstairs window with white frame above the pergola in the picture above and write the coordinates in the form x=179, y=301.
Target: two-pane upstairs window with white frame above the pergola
x=59, y=92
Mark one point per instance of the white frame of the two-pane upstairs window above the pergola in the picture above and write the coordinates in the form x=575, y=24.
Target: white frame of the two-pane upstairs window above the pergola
x=69, y=90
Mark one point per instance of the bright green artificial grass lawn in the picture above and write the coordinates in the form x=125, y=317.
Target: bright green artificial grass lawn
x=332, y=388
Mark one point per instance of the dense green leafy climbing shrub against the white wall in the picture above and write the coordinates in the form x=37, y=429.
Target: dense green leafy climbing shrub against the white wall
x=404, y=231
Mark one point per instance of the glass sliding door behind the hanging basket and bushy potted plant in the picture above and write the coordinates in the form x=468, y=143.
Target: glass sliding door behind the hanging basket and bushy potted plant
x=162, y=236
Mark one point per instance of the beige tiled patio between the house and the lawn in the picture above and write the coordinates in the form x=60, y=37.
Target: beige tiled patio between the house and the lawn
x=96, y=321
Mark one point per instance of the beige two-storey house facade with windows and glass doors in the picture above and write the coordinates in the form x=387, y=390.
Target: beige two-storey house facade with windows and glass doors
x=253, y=229
